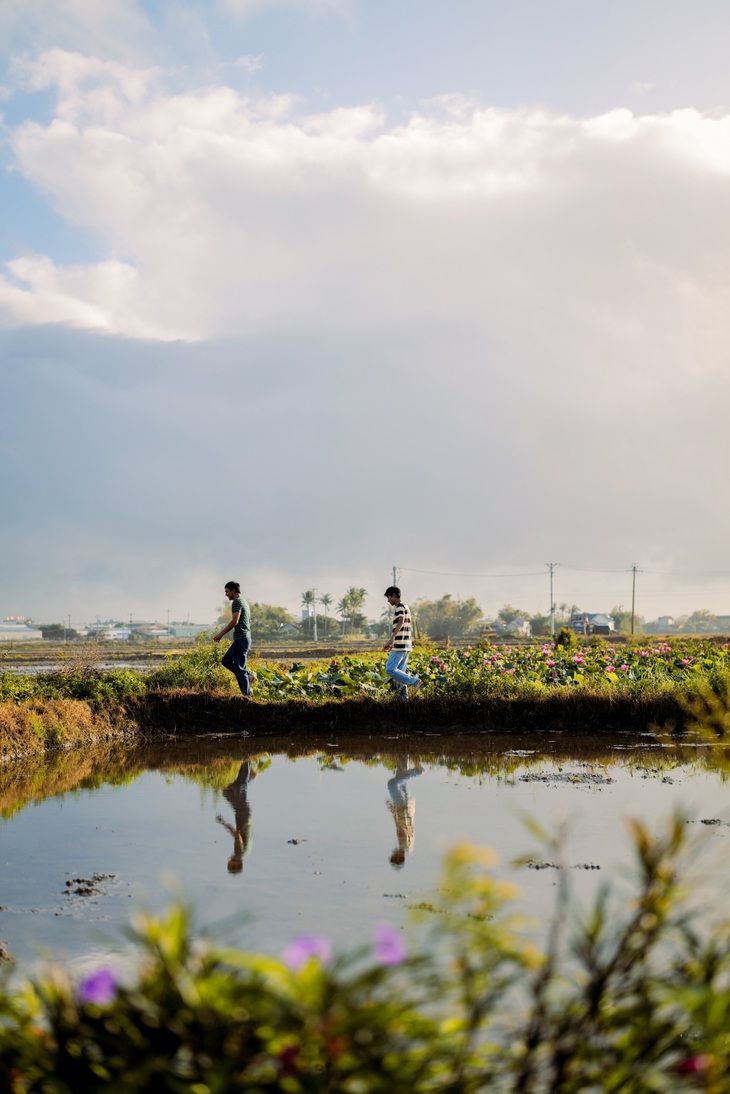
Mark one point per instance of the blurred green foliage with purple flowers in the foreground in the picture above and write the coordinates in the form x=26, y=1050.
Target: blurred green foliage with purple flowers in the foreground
x=633, y=999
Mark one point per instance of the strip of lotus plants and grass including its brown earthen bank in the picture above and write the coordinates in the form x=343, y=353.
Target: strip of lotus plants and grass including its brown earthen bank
x=567, y=686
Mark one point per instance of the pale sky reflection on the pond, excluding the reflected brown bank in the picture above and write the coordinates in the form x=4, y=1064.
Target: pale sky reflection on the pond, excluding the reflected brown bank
x=342, y=878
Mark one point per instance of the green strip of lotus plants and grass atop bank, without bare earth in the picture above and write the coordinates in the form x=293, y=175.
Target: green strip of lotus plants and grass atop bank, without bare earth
x=681, y=666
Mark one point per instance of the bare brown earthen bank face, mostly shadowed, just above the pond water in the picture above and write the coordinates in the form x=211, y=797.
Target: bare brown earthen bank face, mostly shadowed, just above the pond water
x=37, y=727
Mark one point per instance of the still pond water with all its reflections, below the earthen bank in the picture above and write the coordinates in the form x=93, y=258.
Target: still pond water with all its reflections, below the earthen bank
x=329, y=837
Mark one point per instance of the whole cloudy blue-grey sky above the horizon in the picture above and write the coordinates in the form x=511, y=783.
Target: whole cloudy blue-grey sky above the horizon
x=294, y=293
